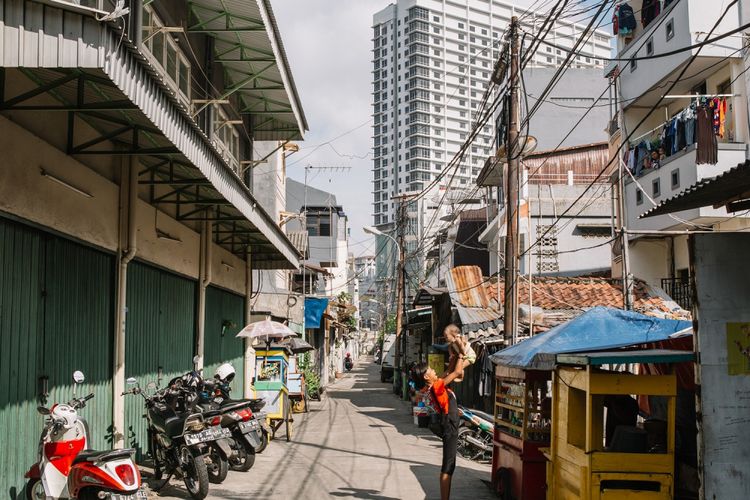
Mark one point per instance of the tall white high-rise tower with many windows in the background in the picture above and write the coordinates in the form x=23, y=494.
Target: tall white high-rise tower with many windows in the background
x=432, y=61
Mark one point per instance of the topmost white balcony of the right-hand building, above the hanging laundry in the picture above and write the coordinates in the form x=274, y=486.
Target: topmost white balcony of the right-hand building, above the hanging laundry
x=680, y=25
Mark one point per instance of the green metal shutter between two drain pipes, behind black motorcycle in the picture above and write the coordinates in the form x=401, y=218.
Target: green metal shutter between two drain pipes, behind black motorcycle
x=159, y=337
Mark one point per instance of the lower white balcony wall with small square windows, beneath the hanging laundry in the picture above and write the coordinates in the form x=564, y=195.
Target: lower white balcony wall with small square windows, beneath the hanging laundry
x=676, y=174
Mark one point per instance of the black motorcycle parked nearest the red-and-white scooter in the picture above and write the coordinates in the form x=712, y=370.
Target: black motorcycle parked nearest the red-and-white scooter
x=179, y=440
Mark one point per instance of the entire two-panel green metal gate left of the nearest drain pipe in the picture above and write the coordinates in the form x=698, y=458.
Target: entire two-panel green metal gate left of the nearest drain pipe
x=56, y=316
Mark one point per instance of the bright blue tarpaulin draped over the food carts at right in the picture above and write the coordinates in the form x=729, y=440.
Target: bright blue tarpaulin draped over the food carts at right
x=600, y=328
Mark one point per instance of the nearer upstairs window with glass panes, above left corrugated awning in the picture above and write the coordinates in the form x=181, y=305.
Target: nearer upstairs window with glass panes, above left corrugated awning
x=166, y=54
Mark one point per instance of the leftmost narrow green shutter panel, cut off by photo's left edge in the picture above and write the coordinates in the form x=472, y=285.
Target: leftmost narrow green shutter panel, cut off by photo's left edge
x=21, y=320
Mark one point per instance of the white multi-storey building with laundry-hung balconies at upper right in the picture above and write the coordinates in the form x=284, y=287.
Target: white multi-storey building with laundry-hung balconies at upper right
x=716, y=72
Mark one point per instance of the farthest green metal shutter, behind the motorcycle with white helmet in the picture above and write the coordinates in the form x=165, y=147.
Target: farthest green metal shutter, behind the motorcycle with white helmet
x=225, y=316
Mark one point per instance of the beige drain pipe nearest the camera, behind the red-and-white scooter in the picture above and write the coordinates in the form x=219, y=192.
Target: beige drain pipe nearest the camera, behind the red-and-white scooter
x=128, y=204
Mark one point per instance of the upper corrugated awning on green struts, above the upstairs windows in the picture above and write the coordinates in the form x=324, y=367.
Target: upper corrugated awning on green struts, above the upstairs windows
x=248, y=46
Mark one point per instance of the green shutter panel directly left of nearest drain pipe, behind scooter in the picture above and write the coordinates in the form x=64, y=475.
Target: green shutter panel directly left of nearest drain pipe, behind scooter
x=78, y=330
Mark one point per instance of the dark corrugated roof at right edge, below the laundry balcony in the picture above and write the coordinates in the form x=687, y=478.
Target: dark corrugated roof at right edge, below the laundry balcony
x=724, y=189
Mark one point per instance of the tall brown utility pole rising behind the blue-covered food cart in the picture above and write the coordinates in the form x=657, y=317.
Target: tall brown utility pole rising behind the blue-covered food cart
x=511, y=195
